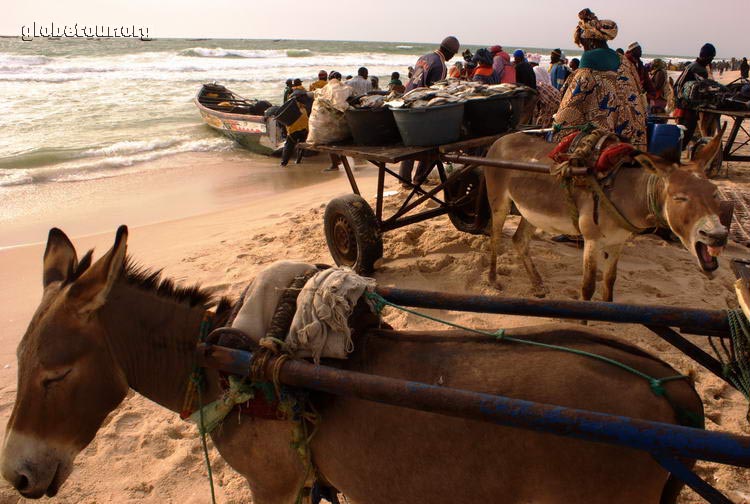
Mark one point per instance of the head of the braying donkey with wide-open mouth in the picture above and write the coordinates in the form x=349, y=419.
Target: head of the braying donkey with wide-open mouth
x=691, y=204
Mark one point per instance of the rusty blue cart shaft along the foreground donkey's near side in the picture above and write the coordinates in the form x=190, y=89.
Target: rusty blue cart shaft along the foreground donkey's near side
x=655, y=437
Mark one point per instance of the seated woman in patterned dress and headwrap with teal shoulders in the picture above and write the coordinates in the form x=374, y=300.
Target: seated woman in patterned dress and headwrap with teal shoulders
x=605, y=90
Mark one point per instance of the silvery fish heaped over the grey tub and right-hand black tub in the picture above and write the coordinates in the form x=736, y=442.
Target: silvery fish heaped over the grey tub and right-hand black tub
x=451, y=91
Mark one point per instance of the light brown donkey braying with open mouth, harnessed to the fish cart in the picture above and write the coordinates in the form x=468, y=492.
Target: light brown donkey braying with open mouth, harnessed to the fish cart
x=679, y=196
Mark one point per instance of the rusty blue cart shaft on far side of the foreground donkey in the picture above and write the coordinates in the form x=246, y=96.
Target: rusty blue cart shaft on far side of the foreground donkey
x=694, y=321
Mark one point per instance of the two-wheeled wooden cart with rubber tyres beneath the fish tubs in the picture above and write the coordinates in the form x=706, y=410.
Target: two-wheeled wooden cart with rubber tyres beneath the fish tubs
x=354, y=231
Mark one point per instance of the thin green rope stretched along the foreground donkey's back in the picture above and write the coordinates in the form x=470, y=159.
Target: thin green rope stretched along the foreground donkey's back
x=656, y=384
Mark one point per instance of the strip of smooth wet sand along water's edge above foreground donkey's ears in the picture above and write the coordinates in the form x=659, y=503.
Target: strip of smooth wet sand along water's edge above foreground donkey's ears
x=173, y=188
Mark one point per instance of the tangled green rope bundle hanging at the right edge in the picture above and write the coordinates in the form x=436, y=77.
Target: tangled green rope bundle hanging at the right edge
x=735, y=360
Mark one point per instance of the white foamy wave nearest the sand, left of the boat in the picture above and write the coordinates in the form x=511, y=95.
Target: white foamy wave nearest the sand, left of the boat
x=107, y=161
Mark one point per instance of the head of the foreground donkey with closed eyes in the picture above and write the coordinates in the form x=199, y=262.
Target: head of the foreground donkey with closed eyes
x=68, y=379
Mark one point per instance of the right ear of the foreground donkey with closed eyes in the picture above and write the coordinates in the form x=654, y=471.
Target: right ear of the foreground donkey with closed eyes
x=90, y=291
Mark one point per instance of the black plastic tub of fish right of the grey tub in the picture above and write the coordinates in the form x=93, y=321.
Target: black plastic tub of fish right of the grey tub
x=493, y=115
